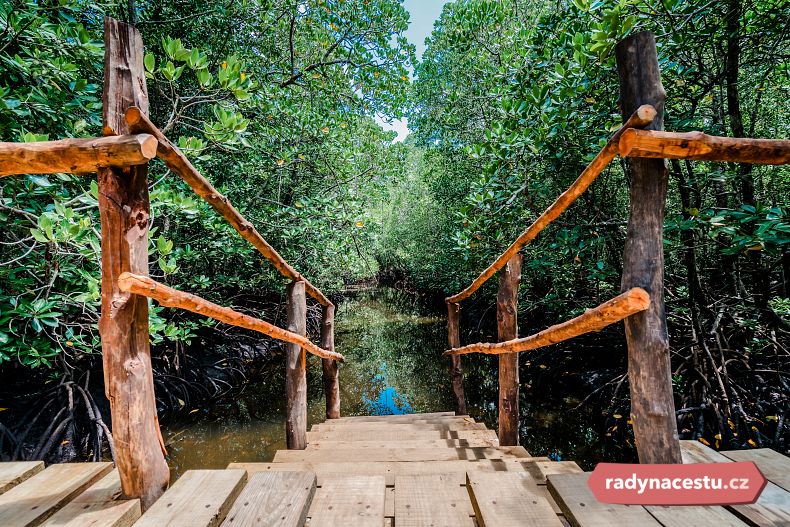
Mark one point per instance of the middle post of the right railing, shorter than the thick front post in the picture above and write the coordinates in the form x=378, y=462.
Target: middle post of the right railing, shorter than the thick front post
x=507, y=329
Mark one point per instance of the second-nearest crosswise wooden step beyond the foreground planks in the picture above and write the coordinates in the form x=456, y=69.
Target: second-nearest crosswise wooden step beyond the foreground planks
x=399, y=454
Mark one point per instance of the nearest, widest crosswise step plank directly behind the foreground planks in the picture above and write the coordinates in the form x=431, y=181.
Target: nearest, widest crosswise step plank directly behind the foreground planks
x=389, y=469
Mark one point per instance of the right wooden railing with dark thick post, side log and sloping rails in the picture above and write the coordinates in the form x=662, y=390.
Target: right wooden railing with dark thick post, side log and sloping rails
x=641, y=304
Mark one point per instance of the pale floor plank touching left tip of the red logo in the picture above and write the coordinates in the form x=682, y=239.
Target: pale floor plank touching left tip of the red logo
x=581, y=509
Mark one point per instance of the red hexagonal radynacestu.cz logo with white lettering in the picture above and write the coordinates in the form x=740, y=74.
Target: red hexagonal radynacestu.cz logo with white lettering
x=693, y=484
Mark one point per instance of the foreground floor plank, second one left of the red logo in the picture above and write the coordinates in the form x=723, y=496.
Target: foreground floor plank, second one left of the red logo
x=509, y=500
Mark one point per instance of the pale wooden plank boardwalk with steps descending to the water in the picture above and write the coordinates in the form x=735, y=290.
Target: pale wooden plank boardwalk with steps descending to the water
x=411, y=470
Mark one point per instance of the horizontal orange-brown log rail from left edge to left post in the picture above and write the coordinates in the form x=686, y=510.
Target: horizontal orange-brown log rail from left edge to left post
x=76, y=156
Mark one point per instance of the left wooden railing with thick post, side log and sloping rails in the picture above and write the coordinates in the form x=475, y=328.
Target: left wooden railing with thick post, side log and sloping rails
x=121, y=158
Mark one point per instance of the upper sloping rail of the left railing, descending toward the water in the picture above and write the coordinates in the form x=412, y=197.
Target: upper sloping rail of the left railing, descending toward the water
x=180, y=165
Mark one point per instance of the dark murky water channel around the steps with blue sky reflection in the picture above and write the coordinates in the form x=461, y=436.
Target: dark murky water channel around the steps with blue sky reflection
x=393, y=348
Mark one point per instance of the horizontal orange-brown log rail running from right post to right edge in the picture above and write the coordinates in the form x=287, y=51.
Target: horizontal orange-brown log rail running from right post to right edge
x=703, y=147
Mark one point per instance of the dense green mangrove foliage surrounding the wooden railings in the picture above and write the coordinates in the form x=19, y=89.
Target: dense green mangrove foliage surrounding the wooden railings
x=274, y=101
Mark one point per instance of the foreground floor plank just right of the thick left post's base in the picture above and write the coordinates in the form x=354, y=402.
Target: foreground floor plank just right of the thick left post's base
x=200, y=498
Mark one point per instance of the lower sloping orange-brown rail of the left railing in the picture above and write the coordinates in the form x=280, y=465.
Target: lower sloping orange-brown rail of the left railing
x=167, y=296
